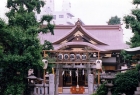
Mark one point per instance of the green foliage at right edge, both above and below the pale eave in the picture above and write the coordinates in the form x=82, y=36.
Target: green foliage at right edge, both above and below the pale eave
x=132, y=22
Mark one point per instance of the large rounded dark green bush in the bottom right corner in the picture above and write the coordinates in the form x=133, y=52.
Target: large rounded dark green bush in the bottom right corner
x=126, y=82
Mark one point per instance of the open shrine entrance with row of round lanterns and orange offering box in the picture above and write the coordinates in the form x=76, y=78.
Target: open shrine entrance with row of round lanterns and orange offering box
x=73, y=69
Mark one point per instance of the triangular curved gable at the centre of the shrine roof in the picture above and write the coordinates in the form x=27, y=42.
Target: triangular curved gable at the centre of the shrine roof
x=78, y=30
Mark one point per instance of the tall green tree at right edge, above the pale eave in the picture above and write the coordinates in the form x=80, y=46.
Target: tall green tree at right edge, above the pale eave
x=132, y=21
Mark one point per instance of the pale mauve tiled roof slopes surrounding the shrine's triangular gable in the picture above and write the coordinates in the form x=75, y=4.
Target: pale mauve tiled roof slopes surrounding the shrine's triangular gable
x=111, y=35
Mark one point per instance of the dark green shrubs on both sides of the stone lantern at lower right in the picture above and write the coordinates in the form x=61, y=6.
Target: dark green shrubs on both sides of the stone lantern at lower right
x=123, y=83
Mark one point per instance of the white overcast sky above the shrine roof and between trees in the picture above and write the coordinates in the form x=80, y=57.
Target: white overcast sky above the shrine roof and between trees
x=93, y=12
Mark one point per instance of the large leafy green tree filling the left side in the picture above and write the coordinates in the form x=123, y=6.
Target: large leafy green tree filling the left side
x=21, y=48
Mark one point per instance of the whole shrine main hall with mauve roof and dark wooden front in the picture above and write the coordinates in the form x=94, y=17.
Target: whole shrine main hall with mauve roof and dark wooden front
x=77, y=49
